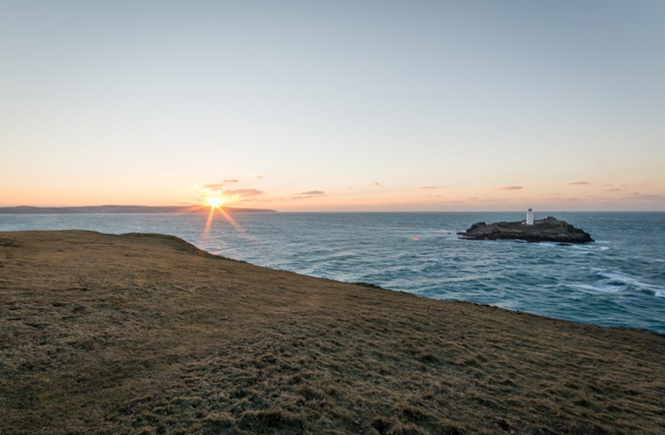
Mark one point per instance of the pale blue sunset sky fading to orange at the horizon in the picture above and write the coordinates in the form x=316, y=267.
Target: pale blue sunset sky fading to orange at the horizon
x=334, y=105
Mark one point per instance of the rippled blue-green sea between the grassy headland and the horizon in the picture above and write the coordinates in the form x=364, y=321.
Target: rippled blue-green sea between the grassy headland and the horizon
x=619, y=280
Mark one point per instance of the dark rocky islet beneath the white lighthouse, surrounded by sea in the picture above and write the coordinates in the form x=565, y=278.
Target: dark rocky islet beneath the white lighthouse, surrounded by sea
x=544, y=230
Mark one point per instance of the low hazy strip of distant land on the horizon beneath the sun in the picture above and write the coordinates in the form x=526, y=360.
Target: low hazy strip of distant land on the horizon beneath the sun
x=109, y=209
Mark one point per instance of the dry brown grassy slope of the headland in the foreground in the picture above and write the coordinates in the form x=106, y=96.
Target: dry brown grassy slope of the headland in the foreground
x=146, y=334
